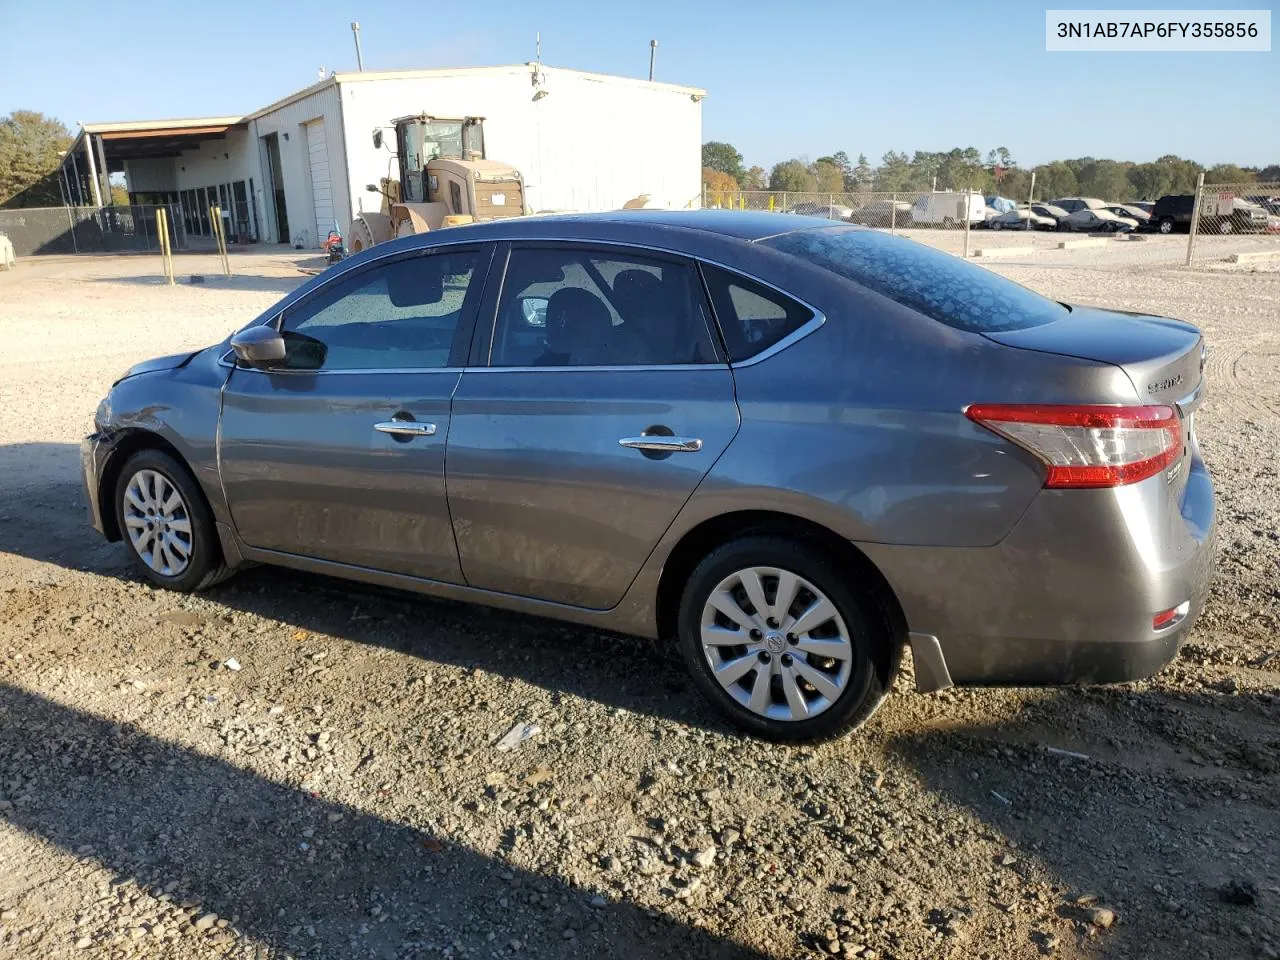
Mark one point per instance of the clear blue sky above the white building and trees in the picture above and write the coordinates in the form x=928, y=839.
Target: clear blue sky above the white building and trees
x=785, y=79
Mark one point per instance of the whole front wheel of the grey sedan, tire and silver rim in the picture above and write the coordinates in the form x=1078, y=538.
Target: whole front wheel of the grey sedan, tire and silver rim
x=166, y=524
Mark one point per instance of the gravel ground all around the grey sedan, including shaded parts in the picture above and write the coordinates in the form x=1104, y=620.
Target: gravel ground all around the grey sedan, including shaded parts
x=341, y=794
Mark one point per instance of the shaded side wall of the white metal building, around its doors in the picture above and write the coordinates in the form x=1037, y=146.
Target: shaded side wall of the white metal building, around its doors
x=296, y=164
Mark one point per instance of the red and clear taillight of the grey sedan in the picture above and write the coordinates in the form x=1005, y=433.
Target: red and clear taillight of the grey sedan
x=1089, y=446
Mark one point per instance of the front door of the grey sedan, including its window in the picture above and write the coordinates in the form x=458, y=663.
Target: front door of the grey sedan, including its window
x=339, y=454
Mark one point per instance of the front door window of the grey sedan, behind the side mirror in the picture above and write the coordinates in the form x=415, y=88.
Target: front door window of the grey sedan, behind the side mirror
x=397, y=316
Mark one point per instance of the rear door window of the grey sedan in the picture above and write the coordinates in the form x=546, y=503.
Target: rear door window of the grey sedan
x=580, y=308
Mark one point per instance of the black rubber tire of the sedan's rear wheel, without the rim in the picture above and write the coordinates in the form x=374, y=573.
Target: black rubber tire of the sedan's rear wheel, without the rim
x=871, y=638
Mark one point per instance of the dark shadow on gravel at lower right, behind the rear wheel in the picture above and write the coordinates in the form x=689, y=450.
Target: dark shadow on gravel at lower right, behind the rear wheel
x=1145, y=801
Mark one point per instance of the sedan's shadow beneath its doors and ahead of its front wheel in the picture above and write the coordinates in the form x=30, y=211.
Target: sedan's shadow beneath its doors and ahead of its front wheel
x=42, y=484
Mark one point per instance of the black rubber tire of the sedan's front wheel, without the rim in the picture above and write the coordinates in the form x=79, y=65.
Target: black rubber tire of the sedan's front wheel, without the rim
x=205, y=565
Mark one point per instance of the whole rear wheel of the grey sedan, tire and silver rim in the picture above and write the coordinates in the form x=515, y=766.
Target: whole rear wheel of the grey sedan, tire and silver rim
x=780, y=643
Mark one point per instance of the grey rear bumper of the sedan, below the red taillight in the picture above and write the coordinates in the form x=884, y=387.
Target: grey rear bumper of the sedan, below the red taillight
x=1069, y=596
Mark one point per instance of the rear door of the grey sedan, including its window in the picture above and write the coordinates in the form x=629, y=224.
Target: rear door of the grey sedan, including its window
x=598, y=404
